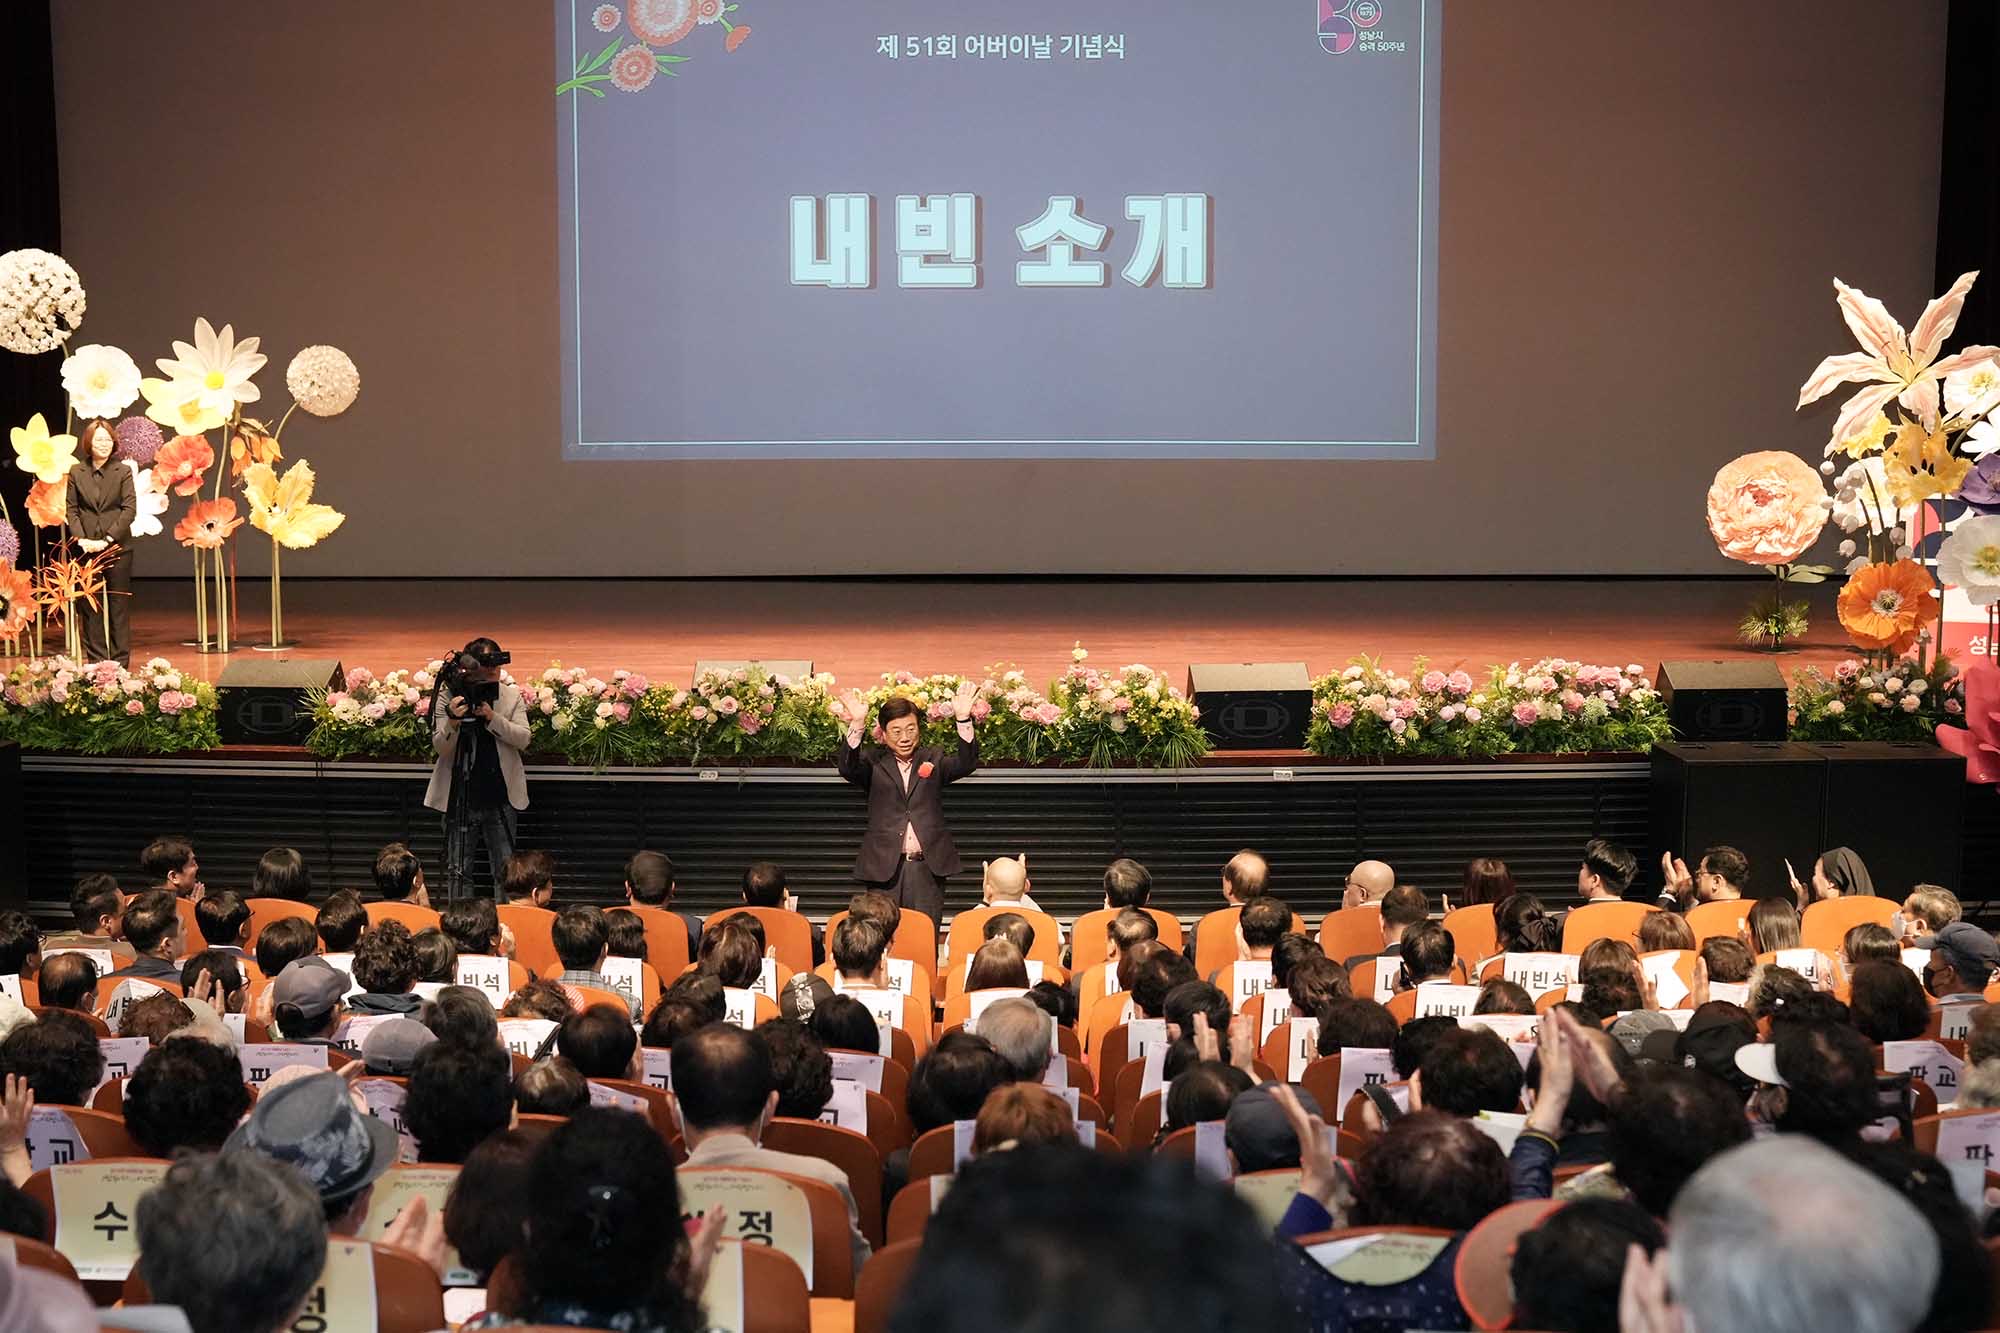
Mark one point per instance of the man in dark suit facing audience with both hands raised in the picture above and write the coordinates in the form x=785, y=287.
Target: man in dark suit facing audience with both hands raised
x=909, y=850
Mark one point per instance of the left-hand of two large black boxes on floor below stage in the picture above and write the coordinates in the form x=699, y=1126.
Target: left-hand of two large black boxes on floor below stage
x=1761, y=800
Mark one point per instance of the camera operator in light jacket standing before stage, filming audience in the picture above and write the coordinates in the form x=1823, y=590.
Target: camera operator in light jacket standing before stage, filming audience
x=477, y=784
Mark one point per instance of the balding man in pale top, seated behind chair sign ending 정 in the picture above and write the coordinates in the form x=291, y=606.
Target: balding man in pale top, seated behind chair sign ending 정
x=727, y=1094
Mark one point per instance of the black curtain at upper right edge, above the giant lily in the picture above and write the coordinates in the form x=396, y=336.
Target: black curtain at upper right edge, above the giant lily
x=1969, y=199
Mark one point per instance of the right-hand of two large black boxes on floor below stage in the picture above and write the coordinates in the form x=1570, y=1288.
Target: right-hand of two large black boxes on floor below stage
x=1925, y=844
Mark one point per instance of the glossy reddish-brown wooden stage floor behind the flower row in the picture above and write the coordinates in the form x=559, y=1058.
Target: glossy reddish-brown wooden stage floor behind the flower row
x=863, y=627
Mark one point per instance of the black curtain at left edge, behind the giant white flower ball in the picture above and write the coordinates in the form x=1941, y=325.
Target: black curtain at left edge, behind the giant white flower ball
x=31, y=213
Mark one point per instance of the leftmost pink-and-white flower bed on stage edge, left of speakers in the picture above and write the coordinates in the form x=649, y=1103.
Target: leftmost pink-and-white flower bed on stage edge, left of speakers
x=57, y=704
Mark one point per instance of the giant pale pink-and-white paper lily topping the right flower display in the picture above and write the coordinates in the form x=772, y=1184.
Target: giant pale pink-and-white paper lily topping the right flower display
x=1895, y=365
